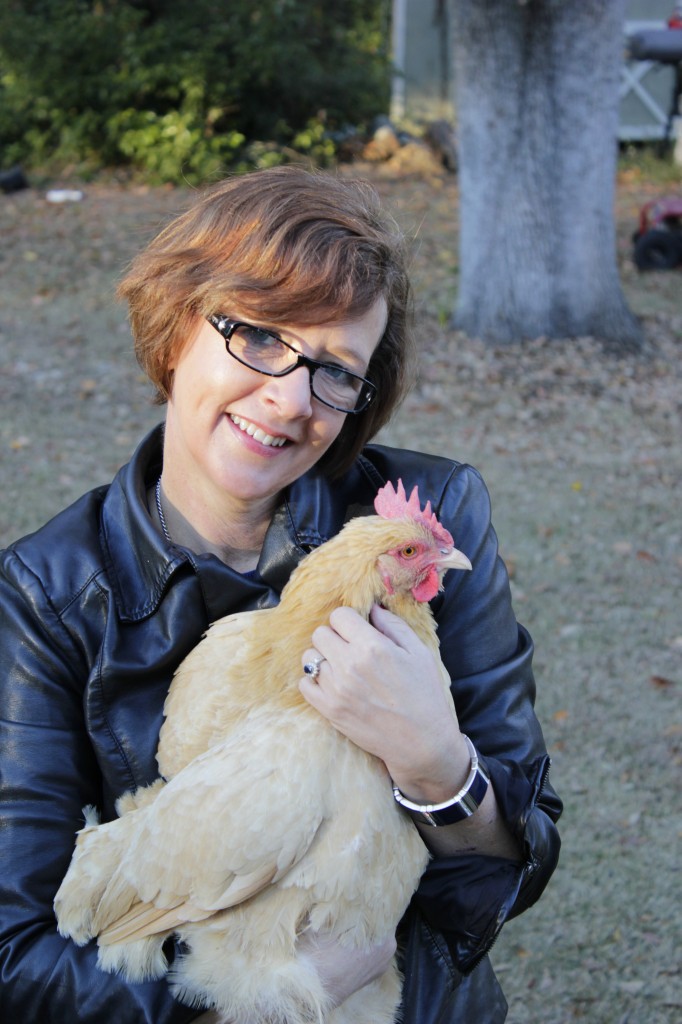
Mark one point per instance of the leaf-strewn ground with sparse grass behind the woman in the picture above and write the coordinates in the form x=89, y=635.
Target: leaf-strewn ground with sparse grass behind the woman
x=583, y=456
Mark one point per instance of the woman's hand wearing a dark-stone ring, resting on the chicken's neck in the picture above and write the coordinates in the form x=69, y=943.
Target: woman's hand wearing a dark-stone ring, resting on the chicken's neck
x=382, y=688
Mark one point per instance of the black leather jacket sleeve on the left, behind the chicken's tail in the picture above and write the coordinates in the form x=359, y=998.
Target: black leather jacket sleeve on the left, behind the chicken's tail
x=48, y=775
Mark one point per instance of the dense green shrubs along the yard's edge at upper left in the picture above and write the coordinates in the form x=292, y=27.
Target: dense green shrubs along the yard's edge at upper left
x=183, y=90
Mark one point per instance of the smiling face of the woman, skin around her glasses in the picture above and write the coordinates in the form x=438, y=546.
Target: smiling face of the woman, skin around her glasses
x=235, y=435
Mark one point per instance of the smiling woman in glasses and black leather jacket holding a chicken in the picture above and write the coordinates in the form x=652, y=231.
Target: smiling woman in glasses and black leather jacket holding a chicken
x=274, y=320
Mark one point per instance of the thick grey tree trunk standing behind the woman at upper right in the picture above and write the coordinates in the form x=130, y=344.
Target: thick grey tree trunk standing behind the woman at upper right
x=537, y=89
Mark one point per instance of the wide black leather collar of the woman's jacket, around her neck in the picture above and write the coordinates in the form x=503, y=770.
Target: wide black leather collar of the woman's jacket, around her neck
x=140, y=562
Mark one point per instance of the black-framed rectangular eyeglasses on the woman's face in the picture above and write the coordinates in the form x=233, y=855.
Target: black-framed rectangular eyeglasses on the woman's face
x=266, y=353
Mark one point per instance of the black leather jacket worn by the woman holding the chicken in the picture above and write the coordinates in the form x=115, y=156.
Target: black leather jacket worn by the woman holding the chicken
x=97, y=613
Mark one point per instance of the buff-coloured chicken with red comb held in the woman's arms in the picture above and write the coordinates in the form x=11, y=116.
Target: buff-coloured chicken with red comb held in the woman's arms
x=267, y=821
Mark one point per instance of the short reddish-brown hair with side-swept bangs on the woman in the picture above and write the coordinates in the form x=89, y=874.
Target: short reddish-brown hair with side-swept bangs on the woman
x=286, y=245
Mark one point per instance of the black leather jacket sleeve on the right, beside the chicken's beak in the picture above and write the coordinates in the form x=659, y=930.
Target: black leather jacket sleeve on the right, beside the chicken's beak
x=489, y=658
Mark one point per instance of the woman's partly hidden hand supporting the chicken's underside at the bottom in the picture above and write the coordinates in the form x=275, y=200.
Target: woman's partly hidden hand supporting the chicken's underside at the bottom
x=344, y=971
